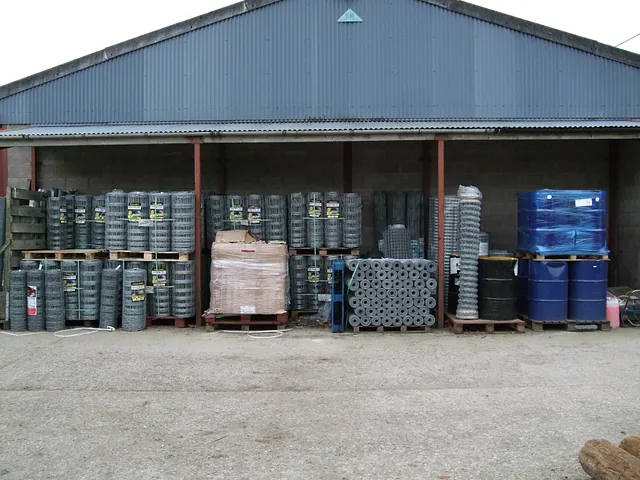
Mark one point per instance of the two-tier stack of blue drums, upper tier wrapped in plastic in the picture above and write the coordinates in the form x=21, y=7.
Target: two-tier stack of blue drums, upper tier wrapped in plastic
x=569, y=227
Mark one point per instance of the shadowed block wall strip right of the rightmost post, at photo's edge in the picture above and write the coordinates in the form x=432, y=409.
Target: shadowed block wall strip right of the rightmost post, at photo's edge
x=628, y=214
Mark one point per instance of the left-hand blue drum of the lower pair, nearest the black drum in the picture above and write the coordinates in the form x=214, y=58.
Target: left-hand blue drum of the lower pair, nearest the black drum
x=548, y=291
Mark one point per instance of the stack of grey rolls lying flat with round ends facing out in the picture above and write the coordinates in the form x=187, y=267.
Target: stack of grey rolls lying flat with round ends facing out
x=391, y=293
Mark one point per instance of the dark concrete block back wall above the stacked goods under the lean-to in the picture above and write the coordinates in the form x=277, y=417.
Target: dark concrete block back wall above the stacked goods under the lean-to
x=499, y=169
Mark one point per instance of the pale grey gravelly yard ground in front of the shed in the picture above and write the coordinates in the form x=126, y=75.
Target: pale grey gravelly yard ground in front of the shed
x=184, y=404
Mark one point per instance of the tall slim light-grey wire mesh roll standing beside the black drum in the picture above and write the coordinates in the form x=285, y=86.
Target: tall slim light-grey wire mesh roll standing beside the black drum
x=470, y=213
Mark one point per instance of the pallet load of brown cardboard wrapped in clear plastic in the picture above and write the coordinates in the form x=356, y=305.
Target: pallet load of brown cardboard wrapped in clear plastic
x=248, y=277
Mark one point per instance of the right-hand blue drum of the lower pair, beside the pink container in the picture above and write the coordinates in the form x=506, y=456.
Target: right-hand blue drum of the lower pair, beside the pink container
x=588, y=290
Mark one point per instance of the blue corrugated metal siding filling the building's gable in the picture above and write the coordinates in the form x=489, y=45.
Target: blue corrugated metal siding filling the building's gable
x=293, y=61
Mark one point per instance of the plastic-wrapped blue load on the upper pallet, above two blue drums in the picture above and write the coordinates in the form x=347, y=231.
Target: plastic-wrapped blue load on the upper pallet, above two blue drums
x=562, y=222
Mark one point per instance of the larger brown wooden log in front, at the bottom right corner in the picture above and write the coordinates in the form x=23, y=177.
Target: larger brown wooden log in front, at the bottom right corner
x=604, y=461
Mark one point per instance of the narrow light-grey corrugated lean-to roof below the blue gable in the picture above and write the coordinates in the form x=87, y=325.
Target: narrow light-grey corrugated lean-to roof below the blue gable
x=186, y=129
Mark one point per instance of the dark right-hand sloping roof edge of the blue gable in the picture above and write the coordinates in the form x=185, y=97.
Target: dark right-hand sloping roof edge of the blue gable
x=540, y=31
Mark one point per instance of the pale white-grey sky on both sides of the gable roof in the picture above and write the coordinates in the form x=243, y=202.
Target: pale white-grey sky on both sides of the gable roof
x=39, y=34
